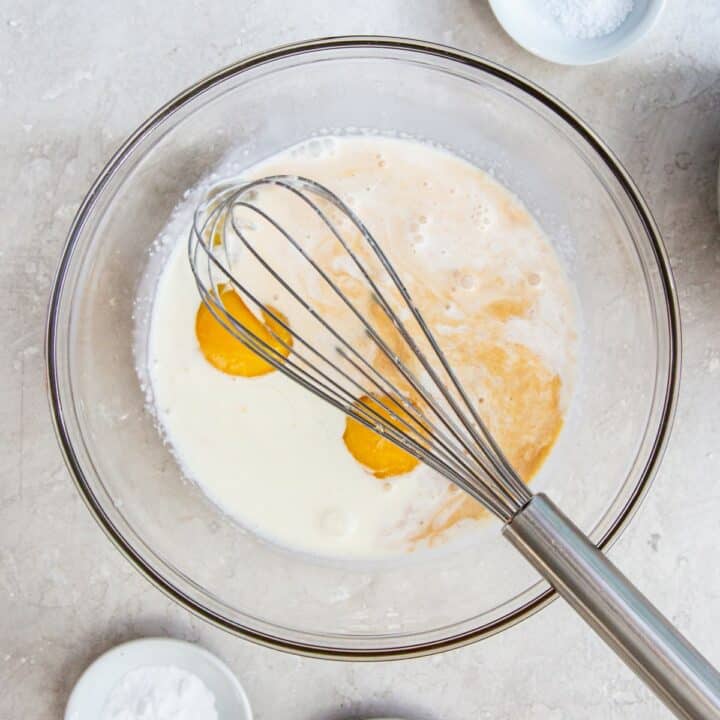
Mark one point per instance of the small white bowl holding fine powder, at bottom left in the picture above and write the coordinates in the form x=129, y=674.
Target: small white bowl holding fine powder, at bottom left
x=91, y=691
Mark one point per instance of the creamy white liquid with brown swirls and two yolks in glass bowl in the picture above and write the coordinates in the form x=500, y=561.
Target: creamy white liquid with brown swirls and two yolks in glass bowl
x=293, y=469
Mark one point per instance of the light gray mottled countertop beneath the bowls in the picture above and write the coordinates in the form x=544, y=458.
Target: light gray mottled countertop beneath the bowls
x=75, y=78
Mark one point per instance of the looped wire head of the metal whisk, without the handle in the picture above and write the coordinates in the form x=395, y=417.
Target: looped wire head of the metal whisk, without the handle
x=459, y=447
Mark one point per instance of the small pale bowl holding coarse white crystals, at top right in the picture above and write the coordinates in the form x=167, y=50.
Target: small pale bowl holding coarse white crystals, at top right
x=530, y=24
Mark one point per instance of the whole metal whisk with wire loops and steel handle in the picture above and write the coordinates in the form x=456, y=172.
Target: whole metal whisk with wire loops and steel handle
x=415, y=397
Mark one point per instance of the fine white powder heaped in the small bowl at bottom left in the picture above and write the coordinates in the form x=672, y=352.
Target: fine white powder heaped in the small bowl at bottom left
x=160, y=693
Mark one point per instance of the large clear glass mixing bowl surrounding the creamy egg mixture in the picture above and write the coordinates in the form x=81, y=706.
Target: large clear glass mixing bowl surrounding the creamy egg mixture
x=617, y=425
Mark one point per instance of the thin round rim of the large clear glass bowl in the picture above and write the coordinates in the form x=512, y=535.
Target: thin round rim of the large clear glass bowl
x=669, y=400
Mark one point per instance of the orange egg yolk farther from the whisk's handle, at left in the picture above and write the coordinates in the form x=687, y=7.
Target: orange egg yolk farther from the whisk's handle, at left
x=224, y=351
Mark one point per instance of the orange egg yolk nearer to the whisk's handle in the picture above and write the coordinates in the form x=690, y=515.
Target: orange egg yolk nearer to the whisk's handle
x=379, y=455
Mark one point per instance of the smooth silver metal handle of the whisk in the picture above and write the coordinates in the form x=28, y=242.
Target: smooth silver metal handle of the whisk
x=616, y=610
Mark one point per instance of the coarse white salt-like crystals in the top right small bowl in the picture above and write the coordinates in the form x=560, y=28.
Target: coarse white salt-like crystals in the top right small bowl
x=587, y=19
